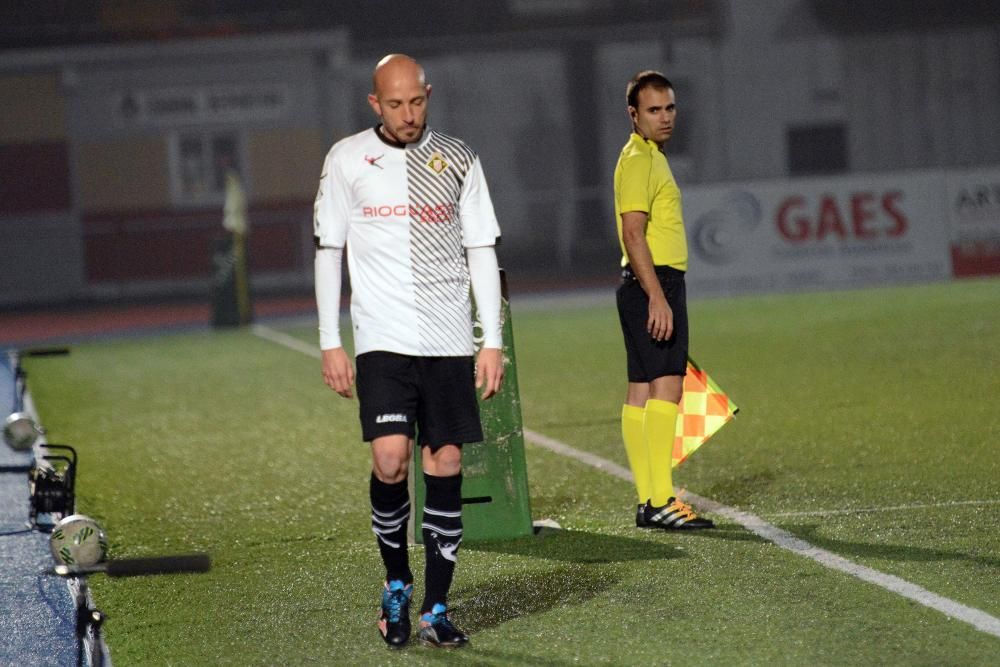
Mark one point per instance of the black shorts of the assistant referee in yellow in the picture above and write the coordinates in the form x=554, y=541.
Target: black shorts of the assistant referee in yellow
x=649, y=359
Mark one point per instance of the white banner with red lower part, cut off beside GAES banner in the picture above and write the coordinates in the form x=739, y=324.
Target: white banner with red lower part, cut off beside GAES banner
x=974, y=212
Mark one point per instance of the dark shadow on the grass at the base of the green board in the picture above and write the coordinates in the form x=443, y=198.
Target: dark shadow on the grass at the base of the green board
x=580, y=546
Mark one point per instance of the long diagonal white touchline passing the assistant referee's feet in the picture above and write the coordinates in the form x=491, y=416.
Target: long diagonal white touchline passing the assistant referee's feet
x=977, y=618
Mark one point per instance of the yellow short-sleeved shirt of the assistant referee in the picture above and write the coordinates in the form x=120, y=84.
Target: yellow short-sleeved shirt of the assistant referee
x=644, y=182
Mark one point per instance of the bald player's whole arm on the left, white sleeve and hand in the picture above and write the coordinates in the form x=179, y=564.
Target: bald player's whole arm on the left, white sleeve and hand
x=331, y=220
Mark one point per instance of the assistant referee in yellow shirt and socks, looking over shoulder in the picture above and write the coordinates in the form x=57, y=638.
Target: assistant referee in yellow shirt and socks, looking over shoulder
x=651, y=301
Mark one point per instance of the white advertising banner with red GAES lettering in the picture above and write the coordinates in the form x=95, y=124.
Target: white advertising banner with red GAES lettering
x=817, y=233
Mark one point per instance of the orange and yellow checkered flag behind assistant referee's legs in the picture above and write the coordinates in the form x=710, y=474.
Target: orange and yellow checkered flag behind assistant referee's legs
x=704, y=409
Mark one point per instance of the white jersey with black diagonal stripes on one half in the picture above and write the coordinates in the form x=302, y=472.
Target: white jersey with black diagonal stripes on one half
x=406, y=215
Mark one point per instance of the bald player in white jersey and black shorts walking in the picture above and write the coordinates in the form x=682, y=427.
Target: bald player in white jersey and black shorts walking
x=412, y=208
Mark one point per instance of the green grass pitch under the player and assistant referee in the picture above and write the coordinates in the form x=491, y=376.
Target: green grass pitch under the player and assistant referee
x=858, y=400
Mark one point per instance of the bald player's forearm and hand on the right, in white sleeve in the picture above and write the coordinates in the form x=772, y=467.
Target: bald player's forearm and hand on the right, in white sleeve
x=485, y=275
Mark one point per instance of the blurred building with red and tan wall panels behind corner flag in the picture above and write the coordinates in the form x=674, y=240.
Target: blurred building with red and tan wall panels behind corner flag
x=113, y=160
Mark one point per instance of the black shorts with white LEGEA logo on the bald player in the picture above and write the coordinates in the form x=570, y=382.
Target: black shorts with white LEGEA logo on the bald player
x=434, y=397
